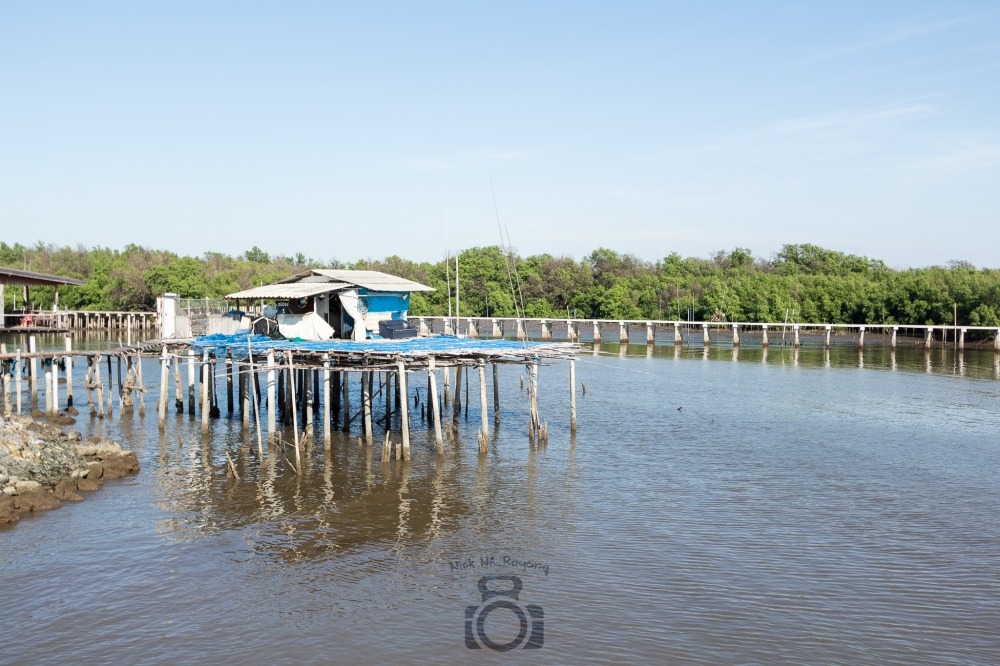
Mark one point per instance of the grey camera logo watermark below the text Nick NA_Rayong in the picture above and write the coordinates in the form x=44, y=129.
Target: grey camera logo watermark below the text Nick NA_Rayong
x=503, y=602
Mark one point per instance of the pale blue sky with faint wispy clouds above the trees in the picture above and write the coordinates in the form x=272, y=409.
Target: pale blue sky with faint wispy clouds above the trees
x=345, y=130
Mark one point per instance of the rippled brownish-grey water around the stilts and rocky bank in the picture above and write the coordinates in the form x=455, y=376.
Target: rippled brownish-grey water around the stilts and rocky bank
x=791, y=509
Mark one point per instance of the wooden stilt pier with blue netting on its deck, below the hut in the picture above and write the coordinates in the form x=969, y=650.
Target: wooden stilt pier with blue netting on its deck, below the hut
x=271, y=385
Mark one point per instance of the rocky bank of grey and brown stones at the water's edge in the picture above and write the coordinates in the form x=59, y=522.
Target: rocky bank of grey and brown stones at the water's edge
x=41, y=466
